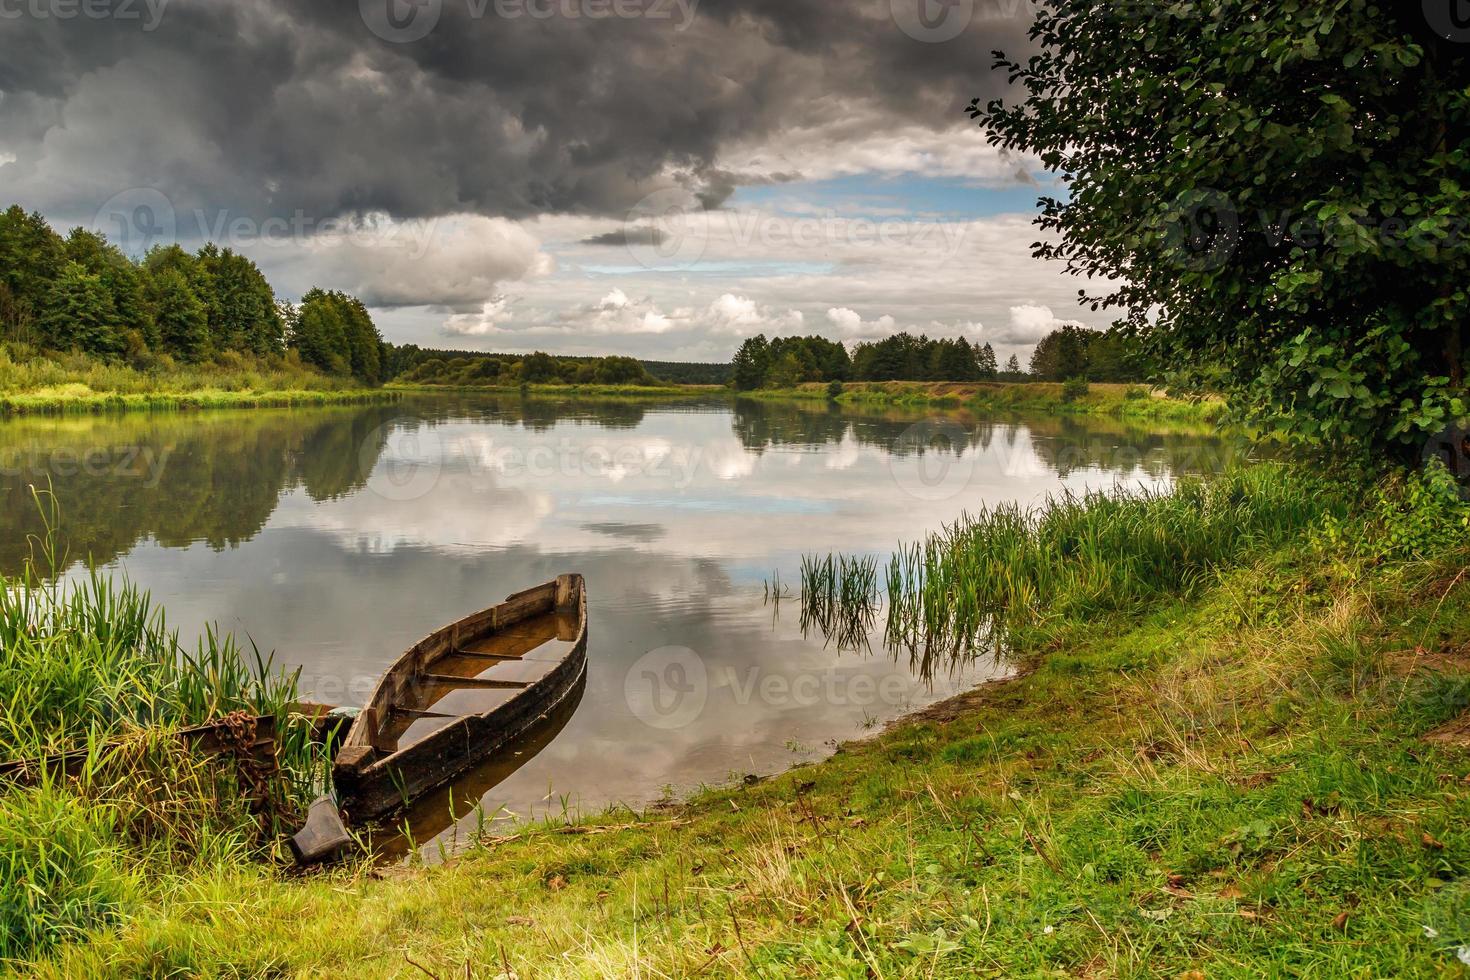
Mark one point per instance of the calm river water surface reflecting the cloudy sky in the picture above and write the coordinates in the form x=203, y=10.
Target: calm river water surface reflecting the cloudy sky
x=339, y=537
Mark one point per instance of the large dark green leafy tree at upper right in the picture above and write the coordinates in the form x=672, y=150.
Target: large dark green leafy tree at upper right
x=1277, y=189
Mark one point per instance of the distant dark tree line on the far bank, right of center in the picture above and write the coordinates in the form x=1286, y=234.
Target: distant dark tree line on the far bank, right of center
x=1068, y=353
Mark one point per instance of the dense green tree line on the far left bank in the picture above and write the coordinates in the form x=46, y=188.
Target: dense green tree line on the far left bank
x=85, y=295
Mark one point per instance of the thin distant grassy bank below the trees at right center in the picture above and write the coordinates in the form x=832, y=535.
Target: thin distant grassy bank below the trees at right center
x=1124, y=402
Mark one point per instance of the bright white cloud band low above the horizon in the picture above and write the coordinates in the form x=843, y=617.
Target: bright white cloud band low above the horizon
x=836, y=277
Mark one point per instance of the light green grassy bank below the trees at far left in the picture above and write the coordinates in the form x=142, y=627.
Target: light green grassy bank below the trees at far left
x=79, y=384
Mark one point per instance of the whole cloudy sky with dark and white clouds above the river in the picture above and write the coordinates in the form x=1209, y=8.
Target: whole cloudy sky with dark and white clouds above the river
x=659, y=179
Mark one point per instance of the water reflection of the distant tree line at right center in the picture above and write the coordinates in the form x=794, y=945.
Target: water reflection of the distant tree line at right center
x=1064, y=444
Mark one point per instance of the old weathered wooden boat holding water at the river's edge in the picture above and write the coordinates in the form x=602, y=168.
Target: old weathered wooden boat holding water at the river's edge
x=461, y=696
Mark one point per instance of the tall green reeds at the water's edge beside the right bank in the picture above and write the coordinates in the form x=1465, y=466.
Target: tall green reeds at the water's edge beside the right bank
x=1018, y=574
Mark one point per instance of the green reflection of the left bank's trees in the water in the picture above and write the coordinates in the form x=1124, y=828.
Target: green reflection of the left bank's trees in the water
x=177, y=478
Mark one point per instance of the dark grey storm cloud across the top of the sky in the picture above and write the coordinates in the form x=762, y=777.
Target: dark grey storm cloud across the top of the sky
x=280, y=108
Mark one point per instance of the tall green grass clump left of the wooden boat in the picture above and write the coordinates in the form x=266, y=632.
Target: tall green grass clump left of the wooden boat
x=95, y=688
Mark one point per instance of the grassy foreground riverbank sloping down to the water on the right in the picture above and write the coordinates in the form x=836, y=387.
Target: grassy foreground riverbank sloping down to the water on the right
x=1255, y=762
